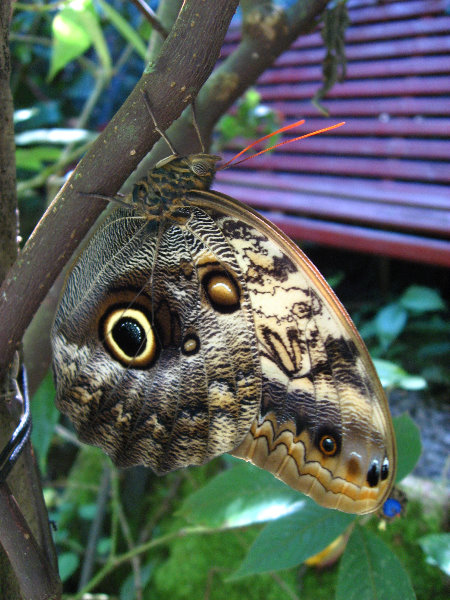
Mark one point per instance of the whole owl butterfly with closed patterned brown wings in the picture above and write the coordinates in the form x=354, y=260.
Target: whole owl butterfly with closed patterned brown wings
x=191, y=326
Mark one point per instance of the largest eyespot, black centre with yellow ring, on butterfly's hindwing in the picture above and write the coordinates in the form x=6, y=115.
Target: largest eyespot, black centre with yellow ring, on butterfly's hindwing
x=128, y=336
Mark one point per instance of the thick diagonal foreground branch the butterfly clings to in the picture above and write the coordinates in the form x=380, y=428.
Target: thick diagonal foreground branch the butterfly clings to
x=186, y=59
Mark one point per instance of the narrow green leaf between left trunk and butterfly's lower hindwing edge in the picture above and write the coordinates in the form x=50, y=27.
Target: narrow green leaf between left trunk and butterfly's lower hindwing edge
x=45, y=416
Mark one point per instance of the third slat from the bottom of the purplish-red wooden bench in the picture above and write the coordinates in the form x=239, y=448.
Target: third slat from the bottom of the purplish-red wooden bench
x=382, y=191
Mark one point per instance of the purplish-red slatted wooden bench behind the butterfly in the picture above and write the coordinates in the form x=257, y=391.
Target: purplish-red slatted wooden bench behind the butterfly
x=380, y=183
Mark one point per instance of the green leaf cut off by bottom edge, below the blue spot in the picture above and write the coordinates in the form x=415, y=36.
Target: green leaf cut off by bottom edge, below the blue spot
x=370, y=571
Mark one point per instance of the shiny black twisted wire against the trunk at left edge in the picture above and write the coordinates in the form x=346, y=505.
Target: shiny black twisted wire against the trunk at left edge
x=20, y=436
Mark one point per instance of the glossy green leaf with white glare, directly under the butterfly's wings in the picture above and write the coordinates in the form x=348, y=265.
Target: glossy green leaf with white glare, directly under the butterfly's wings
x=242, y=495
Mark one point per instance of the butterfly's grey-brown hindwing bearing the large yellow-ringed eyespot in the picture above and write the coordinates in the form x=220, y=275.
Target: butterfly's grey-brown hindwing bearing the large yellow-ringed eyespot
x=155, y=353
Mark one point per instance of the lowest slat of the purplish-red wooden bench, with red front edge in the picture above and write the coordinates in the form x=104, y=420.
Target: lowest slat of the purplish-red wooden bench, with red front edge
x=359, y=239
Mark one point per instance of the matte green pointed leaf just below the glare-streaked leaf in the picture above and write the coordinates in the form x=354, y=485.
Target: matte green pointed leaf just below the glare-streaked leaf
x=290, y=540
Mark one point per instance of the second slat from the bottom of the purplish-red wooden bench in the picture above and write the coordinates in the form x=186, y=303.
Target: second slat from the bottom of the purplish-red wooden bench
x=343, y=209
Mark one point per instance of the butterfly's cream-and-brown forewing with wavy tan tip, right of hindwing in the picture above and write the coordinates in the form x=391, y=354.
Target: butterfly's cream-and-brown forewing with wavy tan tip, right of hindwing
x=324, y=425
